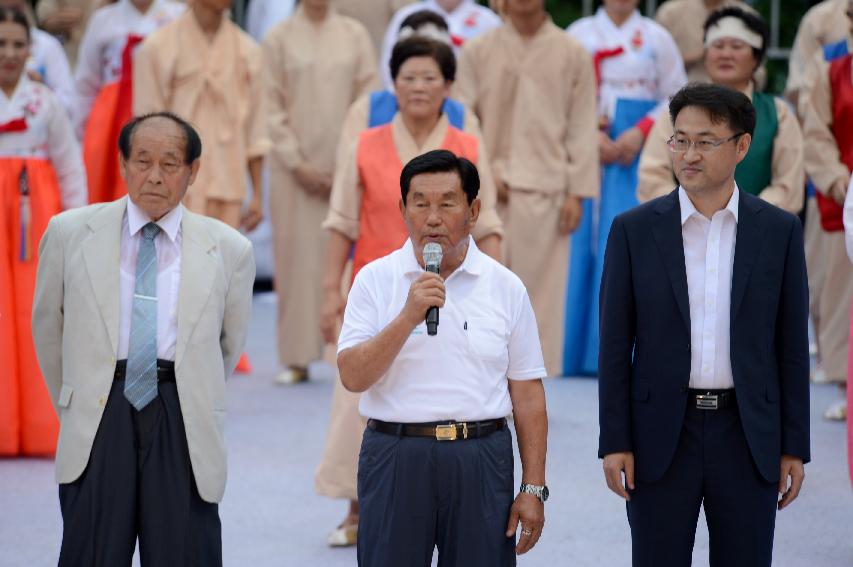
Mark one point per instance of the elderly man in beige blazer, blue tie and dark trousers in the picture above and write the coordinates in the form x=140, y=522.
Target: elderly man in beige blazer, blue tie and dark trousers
x=140, y=313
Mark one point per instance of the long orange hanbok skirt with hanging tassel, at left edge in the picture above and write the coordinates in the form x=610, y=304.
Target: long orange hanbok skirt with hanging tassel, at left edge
x=28, y=422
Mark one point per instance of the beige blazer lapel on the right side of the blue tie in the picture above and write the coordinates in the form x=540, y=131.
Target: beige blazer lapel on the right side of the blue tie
x=197, y=275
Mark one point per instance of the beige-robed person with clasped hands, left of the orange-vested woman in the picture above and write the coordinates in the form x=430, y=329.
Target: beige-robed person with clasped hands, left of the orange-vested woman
x=317, y=63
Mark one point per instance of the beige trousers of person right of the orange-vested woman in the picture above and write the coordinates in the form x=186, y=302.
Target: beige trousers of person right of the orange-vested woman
x=539, y=255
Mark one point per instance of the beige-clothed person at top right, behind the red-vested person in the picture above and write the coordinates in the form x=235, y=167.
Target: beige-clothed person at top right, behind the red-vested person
x=824, y=24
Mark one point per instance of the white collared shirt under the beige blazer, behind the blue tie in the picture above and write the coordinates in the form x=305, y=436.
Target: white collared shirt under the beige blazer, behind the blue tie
x=168, y=246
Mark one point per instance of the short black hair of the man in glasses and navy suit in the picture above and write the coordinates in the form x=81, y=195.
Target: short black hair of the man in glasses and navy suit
x=722, y=104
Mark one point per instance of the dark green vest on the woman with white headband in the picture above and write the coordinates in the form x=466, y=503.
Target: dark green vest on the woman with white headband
x=755, y=172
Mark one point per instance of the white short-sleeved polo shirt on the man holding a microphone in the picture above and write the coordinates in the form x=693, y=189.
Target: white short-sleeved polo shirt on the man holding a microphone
x=487, y=333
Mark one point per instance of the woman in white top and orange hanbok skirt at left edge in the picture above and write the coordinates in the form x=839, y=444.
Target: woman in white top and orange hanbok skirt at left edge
x=41, y=173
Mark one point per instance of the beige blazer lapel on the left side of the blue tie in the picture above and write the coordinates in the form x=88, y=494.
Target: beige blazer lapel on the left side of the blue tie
x=101, y=254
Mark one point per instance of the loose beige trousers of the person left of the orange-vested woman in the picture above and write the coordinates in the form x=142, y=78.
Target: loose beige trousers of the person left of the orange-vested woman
x=299, y=243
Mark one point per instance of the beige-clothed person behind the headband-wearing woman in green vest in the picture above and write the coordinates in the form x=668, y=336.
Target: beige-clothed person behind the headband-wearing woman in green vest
x=684, y=19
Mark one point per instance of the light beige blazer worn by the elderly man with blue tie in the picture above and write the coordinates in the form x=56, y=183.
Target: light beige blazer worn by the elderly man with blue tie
x=75, y=327
